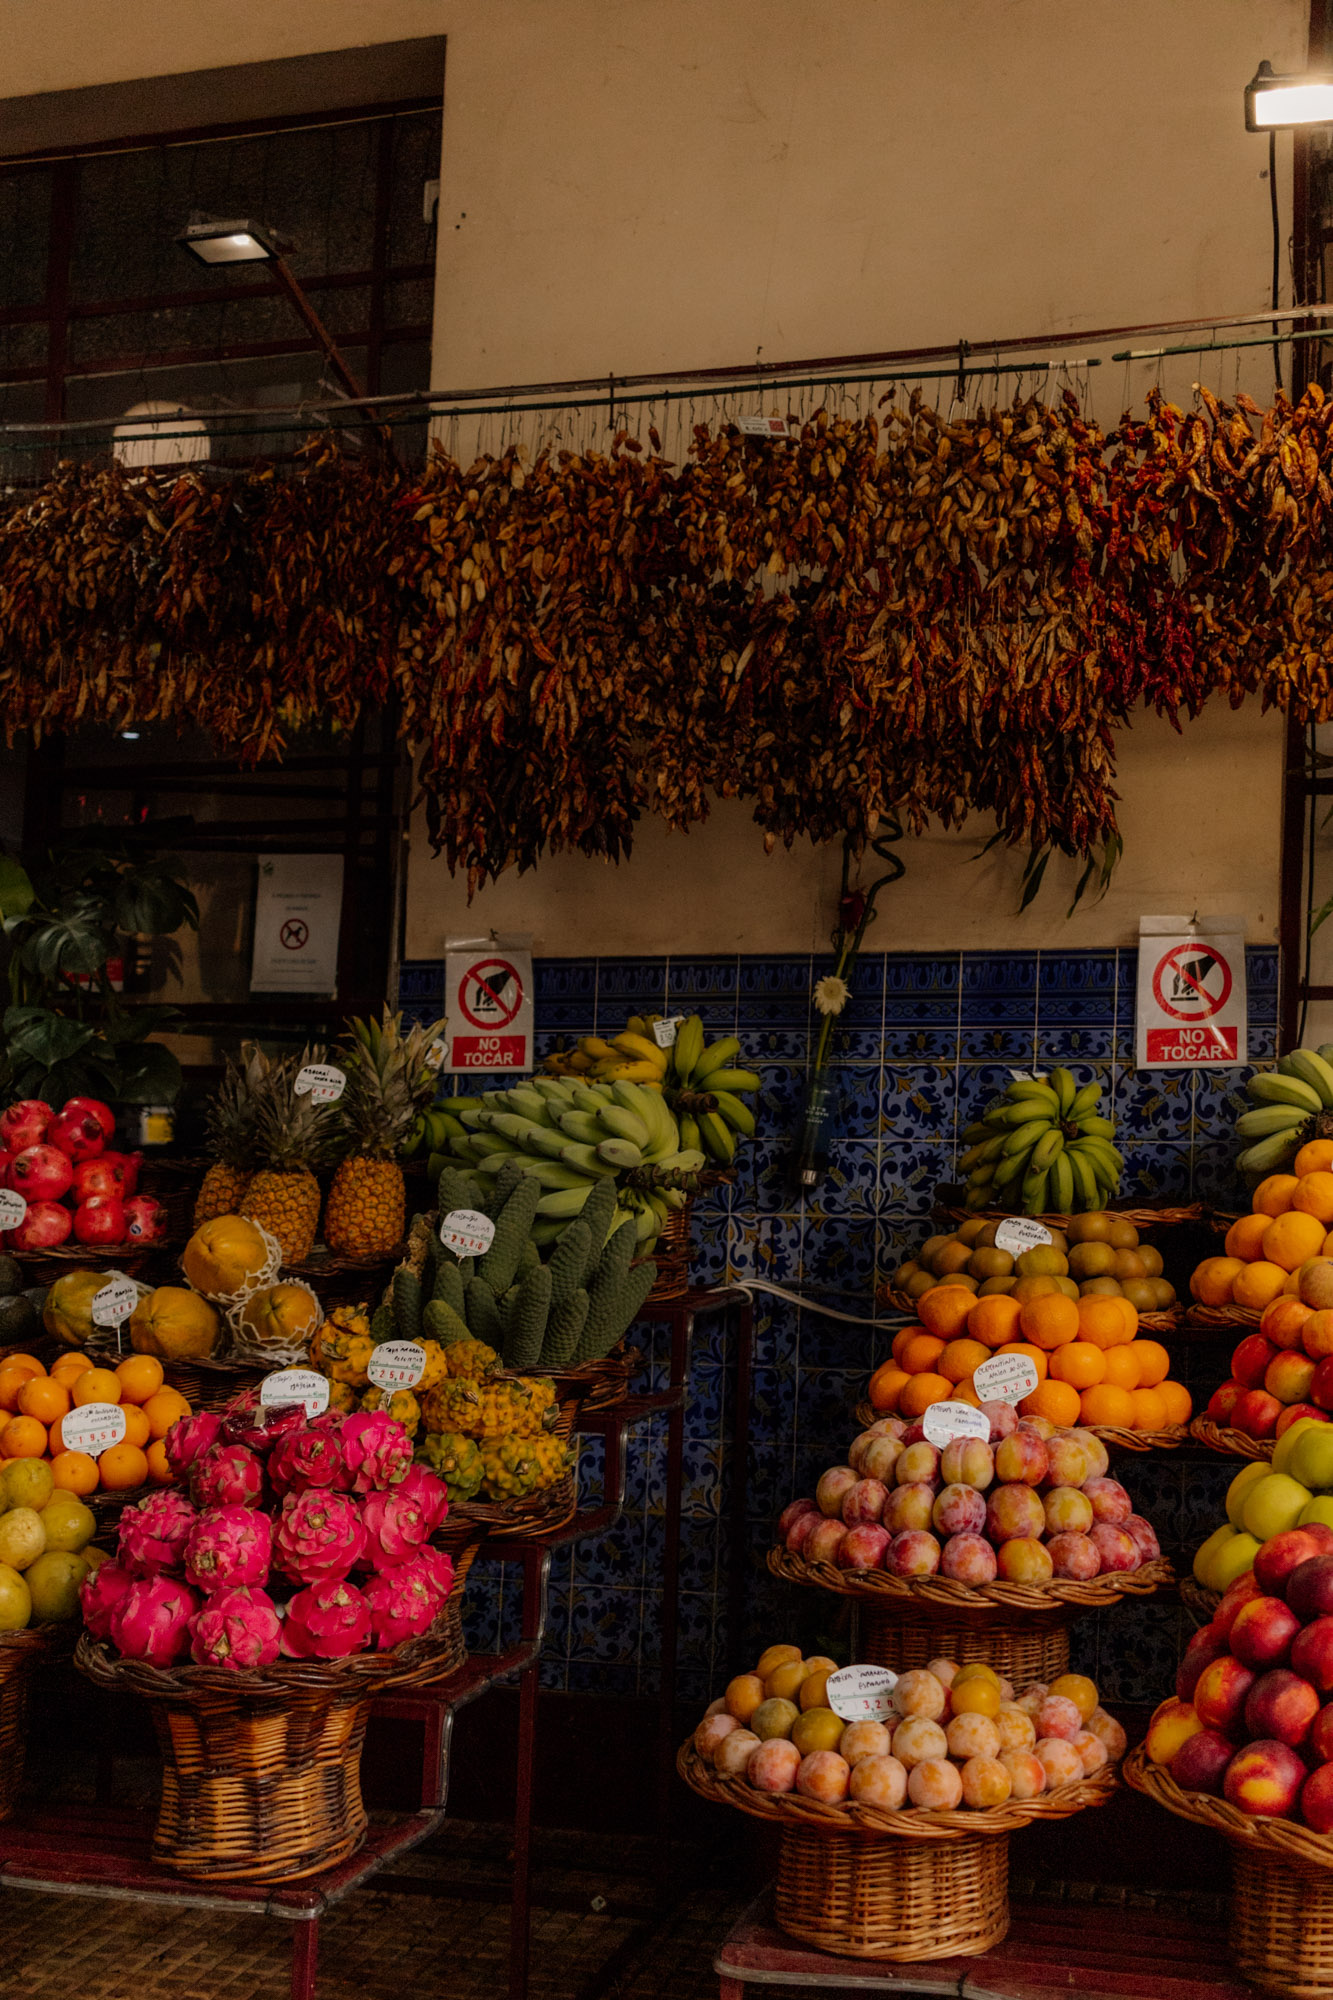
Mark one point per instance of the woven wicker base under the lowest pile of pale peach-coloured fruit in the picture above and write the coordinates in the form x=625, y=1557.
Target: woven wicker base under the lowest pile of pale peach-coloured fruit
x=876, y=1897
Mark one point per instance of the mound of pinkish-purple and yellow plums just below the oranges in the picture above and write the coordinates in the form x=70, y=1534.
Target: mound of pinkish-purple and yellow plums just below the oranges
x=1028, y=1505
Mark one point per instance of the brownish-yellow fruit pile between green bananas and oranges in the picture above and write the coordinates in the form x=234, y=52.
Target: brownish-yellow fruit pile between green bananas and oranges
x=1094, y=1255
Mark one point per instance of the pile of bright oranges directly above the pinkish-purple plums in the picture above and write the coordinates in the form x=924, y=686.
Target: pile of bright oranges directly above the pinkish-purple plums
x=1092, y=1369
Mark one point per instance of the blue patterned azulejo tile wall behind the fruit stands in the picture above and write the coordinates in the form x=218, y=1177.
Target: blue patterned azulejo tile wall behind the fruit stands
x=926, y=1041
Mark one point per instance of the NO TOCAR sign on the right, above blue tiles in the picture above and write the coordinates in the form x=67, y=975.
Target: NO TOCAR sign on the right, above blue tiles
x=1192, y=1007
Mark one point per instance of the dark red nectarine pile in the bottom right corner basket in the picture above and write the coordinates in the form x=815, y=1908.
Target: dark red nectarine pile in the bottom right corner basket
x=1252, y=1717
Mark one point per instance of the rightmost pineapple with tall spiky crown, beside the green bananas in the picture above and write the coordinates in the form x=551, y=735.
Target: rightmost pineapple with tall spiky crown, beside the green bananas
x=387, y=1087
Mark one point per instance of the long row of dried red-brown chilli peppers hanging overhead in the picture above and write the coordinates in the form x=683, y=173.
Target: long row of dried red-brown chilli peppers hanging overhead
x=888, y=617
